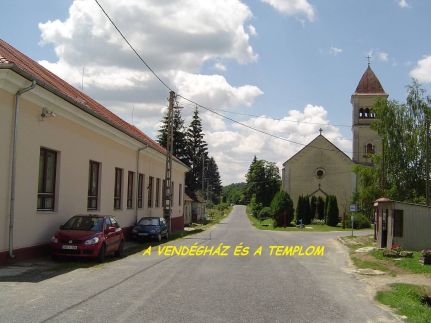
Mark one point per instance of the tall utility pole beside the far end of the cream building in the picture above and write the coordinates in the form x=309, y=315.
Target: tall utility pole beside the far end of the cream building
x=167, y=211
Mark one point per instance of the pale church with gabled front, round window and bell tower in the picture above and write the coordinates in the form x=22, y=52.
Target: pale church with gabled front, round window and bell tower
x=320, y=168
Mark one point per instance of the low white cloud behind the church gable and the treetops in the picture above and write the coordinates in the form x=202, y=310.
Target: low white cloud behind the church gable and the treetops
x=234, y=146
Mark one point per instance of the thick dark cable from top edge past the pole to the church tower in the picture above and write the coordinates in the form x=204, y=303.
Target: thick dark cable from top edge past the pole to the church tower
x=197, y=104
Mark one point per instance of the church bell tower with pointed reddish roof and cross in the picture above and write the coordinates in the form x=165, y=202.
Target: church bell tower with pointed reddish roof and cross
x=365, y=140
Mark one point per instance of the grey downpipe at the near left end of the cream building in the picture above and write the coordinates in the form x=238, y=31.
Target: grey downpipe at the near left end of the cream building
x=13, y=166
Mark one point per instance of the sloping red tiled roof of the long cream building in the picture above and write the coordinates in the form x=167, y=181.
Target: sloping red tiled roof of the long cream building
x=31, y=69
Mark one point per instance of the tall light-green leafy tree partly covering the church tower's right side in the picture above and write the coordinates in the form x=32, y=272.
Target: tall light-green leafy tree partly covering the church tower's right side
x=399, y=171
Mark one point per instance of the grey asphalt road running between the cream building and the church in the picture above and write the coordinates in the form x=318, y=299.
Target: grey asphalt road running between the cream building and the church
x=204, y=289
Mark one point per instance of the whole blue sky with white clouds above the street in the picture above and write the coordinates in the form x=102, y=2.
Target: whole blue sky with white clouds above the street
x=286, y=67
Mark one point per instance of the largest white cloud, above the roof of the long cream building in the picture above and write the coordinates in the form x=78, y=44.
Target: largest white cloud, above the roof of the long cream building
x=211, y=31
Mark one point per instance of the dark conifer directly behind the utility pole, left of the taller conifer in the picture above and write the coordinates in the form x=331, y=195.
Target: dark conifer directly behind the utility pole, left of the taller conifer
x=179, y=136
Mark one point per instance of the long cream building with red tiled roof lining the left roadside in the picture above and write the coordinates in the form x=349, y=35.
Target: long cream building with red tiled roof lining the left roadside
x=73, y=156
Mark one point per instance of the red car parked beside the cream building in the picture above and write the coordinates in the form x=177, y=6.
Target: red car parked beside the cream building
x=88, y=236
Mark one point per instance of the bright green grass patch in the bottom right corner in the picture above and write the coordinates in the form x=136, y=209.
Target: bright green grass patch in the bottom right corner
x=407, y=300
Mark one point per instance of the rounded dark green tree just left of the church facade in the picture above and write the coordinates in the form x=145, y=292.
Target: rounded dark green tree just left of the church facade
x=263, y=181
